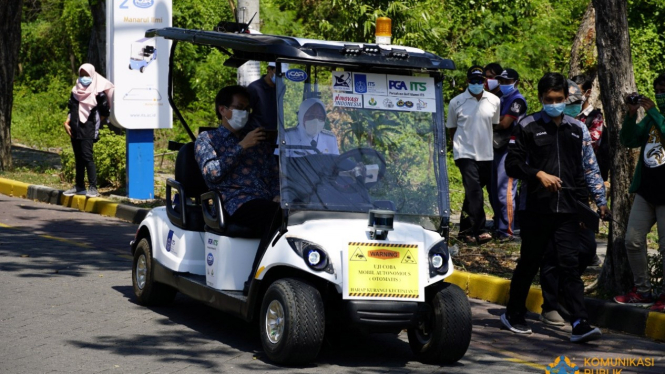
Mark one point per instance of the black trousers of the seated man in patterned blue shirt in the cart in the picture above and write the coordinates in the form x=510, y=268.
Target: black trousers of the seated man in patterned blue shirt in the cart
x=264, y=216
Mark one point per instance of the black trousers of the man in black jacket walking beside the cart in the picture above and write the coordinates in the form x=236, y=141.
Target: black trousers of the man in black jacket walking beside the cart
x=537, y=231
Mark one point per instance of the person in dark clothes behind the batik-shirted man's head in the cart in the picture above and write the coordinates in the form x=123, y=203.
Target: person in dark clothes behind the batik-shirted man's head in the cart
x=263, y=100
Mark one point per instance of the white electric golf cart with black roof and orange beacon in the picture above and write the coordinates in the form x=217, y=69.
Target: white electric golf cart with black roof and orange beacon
x=364, y=233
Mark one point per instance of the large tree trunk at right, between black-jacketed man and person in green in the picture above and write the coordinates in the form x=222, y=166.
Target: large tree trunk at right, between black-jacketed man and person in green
x=615, y=74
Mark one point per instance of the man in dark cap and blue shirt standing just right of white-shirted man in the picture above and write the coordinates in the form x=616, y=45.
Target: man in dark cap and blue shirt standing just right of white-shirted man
x=503, y=188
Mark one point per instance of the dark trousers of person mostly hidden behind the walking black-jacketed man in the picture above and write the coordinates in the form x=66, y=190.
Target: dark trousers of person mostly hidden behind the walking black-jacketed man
x=549, y=274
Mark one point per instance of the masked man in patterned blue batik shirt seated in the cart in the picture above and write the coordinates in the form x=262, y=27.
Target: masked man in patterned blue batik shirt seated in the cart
x=238, y=163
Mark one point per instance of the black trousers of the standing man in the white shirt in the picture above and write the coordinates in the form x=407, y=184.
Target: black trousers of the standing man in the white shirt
x=475, y=176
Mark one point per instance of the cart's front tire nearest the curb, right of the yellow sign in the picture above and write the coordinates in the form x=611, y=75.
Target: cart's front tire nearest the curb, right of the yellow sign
x=444, y=336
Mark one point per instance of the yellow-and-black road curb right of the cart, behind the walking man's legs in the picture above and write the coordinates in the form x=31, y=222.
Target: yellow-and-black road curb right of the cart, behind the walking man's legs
x=602, y=313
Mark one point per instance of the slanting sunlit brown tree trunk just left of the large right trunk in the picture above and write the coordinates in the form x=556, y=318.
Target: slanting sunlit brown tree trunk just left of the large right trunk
x=584, y=54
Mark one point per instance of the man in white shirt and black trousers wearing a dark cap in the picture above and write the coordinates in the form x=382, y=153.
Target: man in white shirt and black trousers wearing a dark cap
x=473, y=114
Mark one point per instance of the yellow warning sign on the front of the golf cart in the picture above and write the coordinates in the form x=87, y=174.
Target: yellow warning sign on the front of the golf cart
x=383, y=271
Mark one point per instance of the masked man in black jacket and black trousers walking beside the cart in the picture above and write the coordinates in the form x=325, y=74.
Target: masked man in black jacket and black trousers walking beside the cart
x=545, y=152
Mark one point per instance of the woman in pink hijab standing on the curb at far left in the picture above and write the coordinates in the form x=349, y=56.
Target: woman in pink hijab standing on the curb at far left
x=89, y=106
